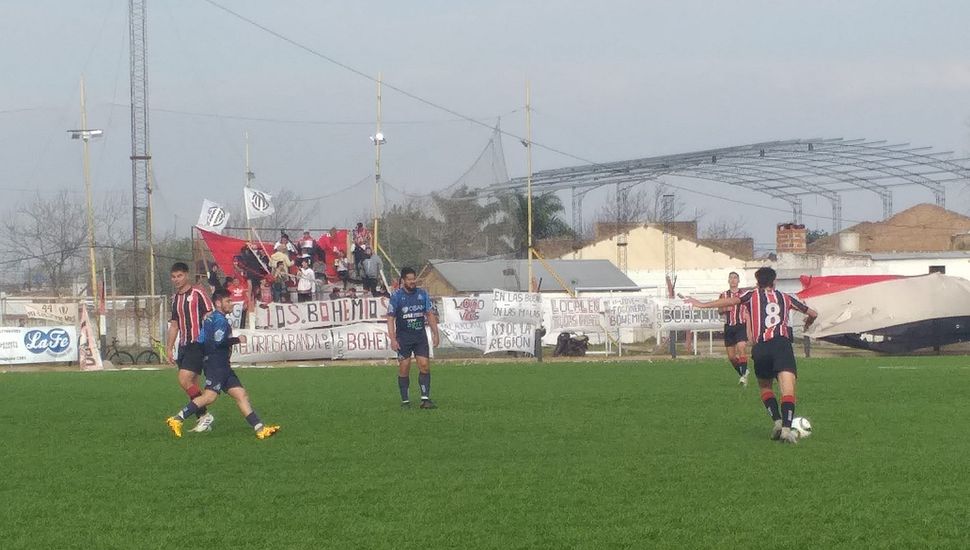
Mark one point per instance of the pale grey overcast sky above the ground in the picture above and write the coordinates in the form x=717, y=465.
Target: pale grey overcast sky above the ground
x=611, y=80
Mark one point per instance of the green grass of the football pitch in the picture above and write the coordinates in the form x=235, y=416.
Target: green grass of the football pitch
x=579, y=455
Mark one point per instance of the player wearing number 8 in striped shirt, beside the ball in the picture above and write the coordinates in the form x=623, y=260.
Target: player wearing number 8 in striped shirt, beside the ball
x=769, y=312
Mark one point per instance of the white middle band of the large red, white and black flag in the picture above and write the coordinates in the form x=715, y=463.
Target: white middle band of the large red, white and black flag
x=889, y=303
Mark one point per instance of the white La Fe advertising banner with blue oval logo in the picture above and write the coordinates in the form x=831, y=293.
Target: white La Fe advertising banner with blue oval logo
x=19, y=346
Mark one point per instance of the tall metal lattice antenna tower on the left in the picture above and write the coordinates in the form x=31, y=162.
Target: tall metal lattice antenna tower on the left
x=143, y=256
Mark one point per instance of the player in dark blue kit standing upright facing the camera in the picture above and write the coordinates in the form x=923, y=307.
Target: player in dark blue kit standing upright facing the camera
x=408, y=311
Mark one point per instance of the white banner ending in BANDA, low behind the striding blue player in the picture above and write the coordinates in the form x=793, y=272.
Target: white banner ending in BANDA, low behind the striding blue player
x=283, y=345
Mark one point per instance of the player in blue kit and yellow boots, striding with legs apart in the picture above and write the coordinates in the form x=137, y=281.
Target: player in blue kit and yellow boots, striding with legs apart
x=217, y=340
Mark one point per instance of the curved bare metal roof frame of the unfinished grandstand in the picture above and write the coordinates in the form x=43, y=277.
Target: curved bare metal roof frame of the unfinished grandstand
x=786, y=170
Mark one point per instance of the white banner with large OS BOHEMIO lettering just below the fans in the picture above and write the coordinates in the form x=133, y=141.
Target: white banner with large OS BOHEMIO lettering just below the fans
x=325, y=313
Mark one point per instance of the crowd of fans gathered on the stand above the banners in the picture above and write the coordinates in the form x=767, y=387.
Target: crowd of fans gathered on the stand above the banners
x=298, y=272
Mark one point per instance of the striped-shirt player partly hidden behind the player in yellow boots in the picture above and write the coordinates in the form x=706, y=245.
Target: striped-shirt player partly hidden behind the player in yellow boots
x=190, y=306
